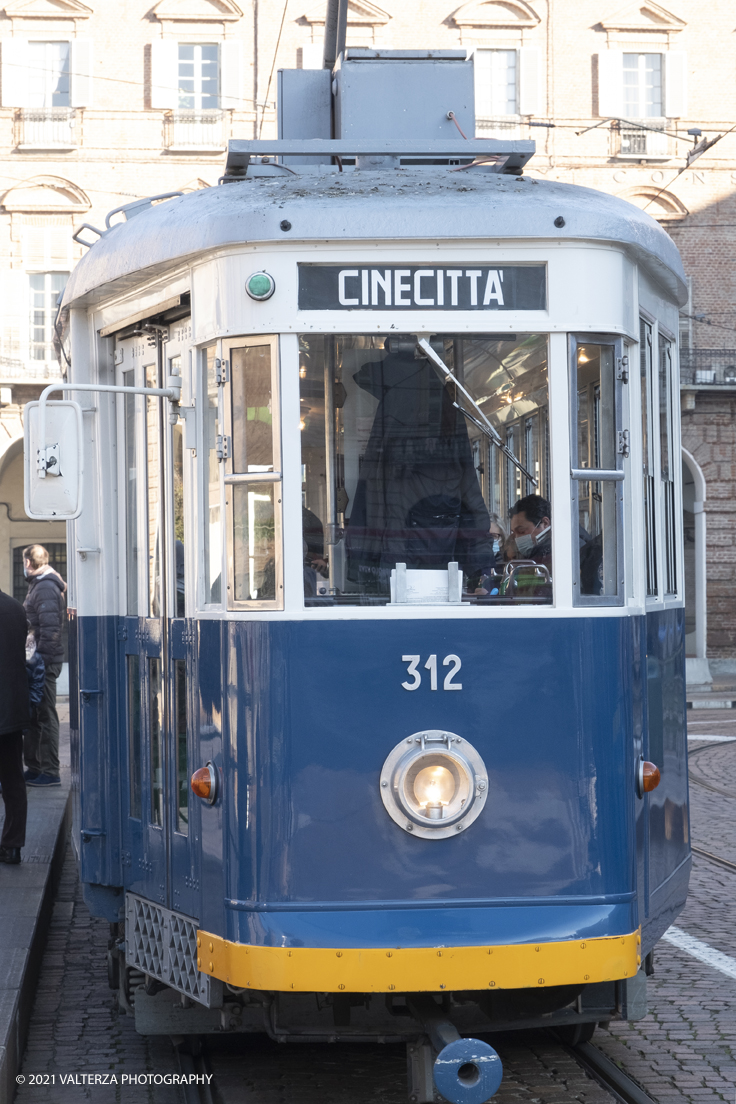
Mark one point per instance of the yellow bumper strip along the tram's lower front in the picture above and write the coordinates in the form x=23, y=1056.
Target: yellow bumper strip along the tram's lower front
x=417, y=970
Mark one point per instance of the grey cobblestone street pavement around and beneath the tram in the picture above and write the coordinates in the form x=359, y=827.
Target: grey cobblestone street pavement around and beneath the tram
x=685, y=1049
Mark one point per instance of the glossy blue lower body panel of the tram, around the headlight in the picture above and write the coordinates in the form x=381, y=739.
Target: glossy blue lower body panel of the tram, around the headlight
x=300, y=717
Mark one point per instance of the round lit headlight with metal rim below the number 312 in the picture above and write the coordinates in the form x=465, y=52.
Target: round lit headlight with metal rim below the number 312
x=434, y=784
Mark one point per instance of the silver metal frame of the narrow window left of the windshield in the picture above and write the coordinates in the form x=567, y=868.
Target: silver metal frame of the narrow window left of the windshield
x=232, y=479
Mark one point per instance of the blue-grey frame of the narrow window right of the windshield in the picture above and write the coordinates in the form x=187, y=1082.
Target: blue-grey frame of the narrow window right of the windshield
x=621, y=410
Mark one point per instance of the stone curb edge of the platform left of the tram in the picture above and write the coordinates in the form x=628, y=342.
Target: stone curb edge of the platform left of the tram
x=15, y=1021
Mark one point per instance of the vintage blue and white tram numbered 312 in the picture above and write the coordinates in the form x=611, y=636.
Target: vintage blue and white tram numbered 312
x=313, y=401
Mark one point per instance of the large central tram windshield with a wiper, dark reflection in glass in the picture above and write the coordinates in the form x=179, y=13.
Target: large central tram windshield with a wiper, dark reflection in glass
x=425, y=471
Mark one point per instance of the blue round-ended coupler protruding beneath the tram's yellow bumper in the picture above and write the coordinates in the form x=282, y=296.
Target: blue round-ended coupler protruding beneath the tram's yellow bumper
x=464, y=1071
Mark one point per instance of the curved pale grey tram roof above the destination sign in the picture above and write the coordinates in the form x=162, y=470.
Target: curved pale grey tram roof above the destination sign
x=429, y=203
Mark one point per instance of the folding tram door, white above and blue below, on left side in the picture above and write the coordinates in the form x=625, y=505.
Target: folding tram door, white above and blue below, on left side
x=162, y=837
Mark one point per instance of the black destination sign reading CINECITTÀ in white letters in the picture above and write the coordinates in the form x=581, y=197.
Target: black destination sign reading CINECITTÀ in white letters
x=414, y=288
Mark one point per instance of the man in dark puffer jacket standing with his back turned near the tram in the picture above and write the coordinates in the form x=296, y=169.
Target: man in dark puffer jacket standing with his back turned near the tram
x=46, y=608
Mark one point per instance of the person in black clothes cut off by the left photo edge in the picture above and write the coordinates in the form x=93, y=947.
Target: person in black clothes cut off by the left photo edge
x=14, y=719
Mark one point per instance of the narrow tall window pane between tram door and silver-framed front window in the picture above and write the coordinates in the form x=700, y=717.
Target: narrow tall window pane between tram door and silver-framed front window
x=212, y=529
